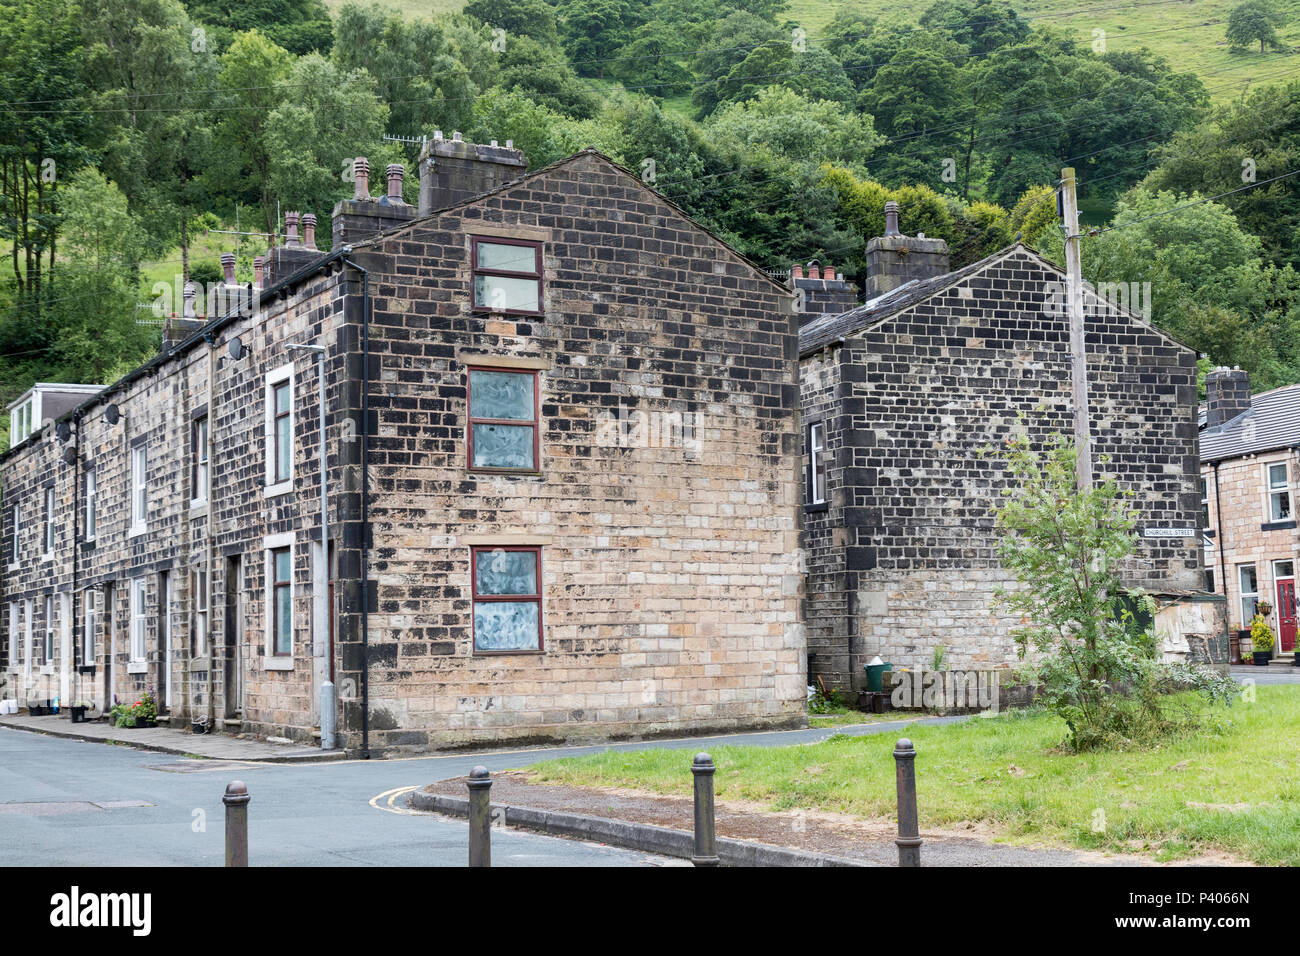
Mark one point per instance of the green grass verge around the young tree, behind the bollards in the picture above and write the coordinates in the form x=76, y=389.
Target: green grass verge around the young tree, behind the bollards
x=1234, y=788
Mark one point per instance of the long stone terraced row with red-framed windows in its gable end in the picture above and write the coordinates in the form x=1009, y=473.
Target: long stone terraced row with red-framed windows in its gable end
x=564, y=496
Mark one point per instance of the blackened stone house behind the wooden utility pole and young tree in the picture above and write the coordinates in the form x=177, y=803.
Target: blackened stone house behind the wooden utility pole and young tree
x=899, y=399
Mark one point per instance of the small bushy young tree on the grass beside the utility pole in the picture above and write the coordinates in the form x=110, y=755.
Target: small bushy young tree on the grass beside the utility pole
x=1085, y=635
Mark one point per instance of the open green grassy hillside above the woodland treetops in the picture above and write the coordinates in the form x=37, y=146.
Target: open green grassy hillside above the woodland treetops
x=1189, y=33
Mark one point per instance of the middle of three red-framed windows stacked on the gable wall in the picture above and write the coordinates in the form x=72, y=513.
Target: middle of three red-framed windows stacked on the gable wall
x=504, y=432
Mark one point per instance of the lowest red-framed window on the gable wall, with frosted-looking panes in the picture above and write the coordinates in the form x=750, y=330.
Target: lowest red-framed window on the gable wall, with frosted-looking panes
x=506, y=586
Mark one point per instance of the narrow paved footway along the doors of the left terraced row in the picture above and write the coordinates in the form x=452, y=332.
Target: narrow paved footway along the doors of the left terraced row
x=171, y=741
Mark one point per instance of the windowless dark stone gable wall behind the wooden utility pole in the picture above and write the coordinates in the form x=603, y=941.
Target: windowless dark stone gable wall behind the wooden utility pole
x=948, y=378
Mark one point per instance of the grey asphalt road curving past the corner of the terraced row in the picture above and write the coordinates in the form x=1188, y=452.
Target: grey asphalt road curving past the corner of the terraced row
x=71, y=803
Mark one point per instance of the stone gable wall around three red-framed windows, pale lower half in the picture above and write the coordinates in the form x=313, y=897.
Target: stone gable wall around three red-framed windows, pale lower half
x=671, y=579
